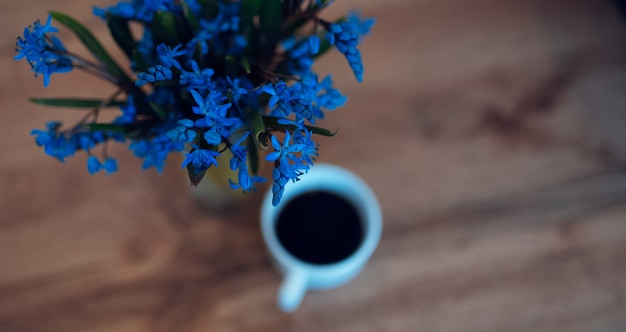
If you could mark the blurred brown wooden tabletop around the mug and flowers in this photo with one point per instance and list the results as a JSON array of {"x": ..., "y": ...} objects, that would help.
[{"x": 491, "y": 131}]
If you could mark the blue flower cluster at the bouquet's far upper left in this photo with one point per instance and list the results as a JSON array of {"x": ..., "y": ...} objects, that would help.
[{"x": 45, "y": 53}]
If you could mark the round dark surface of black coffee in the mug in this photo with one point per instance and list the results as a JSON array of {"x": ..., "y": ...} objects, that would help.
[{"x": 319, "y": 227}]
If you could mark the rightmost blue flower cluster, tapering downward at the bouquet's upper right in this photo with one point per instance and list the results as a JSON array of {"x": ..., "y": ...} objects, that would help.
[{"x": 346, "y": 37}]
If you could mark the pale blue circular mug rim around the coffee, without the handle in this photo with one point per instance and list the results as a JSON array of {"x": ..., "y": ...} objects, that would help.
[{"x": 364, "y": 201}]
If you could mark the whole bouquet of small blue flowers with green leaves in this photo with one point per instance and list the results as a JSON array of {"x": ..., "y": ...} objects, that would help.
[{"x": 207, "y": 76}]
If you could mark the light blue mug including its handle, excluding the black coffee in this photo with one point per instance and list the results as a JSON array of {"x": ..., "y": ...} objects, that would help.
[{"x": 299, "y": 276}]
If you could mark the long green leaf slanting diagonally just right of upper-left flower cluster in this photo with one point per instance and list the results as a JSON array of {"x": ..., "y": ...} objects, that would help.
[{"x": 92, "y": 44}]
